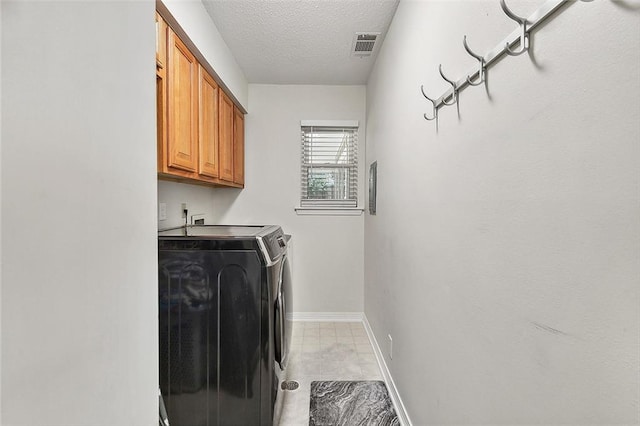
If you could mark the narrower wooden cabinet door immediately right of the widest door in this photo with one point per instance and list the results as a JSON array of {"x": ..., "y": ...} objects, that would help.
[{"x": 208, "y": 131}]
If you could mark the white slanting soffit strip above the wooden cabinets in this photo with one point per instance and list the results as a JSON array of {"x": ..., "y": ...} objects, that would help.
[{"x": 194, "y": 19}]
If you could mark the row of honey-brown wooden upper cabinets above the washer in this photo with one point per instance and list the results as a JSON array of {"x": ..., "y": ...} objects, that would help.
[{"x": 200, "y": 130}]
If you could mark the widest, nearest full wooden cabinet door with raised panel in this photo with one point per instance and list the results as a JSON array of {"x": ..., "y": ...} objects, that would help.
[{"x": 182, "y": 106}]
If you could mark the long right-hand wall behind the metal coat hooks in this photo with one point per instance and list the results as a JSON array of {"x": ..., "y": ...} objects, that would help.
[{"x": 504, "y": 256}]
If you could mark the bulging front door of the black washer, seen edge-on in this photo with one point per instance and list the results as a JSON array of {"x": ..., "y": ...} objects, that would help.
[{"x": 283, "y": 313}]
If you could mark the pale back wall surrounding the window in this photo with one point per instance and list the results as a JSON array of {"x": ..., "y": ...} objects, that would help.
[{"x": 328, "y": 250}]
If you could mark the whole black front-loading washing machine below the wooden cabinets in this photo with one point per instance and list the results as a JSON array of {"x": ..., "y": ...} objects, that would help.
[{"x": 224, "y": 317}]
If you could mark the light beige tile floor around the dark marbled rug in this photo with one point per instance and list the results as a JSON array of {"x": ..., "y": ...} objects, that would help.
[{"x": 325, "y": 351}]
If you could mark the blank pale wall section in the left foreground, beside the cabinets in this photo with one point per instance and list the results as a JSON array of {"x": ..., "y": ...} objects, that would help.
[{"x": 79, "y": 257}]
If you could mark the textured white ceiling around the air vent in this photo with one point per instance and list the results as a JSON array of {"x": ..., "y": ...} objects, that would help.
[{"x": 300, "y": 41}]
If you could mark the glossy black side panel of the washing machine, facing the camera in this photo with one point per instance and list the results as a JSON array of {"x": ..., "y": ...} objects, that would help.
[{"x": 210, "y": 316}]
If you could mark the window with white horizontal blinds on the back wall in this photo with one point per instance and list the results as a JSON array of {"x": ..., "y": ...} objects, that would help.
[{"x": 329, "y": 175}]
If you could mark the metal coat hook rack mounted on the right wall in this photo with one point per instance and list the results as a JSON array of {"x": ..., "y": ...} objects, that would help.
[{"x": 519, "y": 39}]
